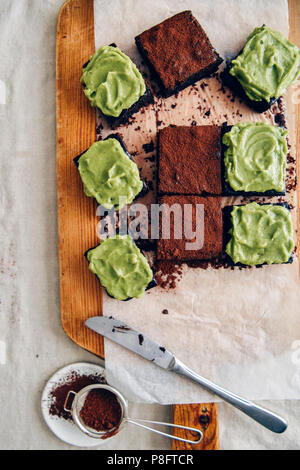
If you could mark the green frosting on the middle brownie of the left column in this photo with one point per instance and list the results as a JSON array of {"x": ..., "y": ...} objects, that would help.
[{"x": 109, "y": 175}]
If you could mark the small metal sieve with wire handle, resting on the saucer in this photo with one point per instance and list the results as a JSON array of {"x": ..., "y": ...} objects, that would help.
[{"x": 75, "y": 401}]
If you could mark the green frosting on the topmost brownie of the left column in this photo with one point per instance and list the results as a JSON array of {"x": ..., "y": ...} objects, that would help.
[{"x": 112, "y": 81}]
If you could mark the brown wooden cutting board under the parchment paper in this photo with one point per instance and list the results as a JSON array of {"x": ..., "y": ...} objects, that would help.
[{"x": 80, "y": 295}]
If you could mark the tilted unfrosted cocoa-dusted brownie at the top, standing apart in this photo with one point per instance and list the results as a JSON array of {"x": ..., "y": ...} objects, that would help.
[{"x": 178, "y": 52}]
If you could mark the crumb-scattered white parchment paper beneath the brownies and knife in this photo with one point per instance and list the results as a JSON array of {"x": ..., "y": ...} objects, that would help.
[{"x": 239, "y": 328}]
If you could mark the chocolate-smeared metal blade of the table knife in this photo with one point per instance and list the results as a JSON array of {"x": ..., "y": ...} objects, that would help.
[{"x": 132, "y": 339}]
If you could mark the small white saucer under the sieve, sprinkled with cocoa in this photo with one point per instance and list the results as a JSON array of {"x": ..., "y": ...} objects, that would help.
[{"x": 65, "y": 430}]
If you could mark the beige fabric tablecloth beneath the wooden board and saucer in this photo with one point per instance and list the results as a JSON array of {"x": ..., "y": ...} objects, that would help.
[{"x": 32, "y": 342}]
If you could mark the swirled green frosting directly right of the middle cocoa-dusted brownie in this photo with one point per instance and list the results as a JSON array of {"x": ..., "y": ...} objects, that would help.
[{"x": 255, "y": 157}]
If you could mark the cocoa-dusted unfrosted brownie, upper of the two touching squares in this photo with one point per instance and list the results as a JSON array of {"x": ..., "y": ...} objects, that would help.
[{"x": 190, "y": 160}]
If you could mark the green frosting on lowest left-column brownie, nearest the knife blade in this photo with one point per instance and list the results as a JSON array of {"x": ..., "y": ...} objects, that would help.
[{"x": 121, "y": 267}]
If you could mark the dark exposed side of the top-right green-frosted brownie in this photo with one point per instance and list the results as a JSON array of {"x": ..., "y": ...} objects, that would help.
[{"x": 234, "y": 85}]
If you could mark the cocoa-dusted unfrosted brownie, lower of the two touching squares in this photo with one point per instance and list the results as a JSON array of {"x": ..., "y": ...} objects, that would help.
[{"x": 196, "y": 228}]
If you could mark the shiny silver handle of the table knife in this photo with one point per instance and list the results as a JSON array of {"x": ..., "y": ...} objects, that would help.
[{"x": 264, "y": 417}]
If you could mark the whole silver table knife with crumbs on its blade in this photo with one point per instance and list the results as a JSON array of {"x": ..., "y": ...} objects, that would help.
[{"x": 138, "y": 343}]
